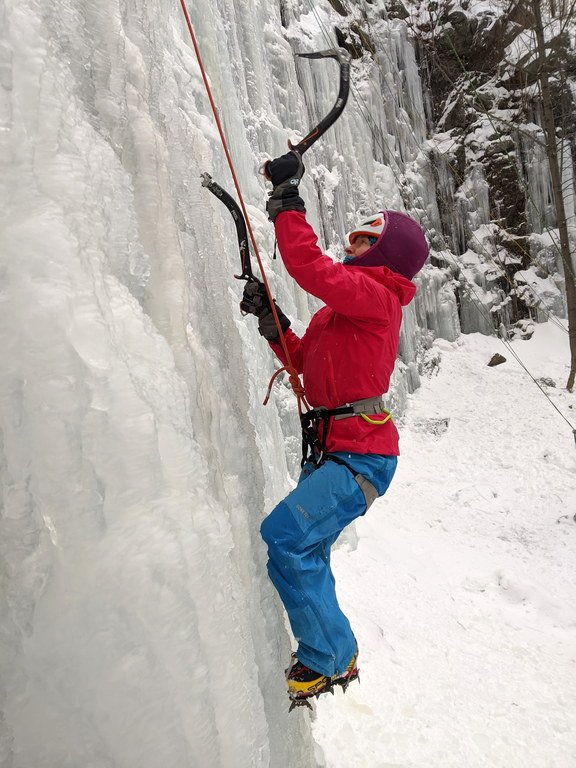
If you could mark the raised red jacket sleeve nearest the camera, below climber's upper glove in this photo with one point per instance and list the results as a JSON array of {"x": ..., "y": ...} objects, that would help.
[{"x": 346, "y": 290}]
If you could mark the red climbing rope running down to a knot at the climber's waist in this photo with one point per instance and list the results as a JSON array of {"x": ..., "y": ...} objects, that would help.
[{"x": 289, "y": 368}]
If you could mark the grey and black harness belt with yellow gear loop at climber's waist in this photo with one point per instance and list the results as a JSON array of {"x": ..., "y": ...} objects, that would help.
[{"x": 316, "y": 422}]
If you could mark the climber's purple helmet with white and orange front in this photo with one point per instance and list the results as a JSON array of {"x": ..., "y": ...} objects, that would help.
[{"x": 401, "y": 246}]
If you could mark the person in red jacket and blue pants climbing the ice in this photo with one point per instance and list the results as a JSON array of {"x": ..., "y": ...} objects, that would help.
[{"x": 346, "y": 358}]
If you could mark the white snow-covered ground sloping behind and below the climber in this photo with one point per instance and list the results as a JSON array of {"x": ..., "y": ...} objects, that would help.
[{"x": 461, "y": 589}]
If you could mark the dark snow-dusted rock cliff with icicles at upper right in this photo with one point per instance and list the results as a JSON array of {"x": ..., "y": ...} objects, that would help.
[{"x": 485, "y": 146}]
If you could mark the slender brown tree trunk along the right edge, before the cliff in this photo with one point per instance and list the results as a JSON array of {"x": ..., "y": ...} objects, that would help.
[{"x": 552, "y": 152}]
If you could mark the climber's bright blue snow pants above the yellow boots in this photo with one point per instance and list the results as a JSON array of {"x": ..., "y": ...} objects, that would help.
[{"x": 300, "y": 532}]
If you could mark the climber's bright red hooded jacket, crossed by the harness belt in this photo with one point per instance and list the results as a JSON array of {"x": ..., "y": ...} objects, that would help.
[{"x": 349, "y": 349}]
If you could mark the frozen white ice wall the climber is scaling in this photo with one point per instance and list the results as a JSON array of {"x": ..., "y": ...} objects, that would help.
[{"x": 137, "y": 623}]
